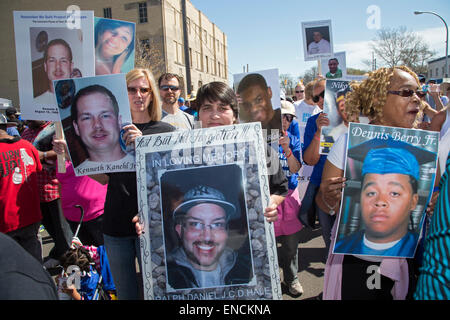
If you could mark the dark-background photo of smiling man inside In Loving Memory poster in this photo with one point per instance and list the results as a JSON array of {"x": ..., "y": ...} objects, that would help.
[{"x": 212, "y": 245}]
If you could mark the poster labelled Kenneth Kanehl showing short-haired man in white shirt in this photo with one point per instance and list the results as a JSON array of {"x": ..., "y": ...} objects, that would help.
[{"x": 93, "y": 112}]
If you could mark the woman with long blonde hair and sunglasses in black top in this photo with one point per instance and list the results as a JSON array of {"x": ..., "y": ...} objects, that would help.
[{"x": 120, "y": 239}]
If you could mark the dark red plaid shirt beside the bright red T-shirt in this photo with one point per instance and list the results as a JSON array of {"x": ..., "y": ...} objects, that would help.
[{"x": 47, "y": 182}]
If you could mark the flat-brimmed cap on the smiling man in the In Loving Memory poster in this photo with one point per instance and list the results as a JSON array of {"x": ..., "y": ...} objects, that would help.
[{"x": 205, "y": 194}]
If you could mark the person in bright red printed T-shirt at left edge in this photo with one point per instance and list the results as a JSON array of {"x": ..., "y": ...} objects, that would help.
[{"x": 20, "y": 213}]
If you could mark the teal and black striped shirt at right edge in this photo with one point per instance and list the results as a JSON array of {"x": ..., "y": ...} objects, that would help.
[{"x": 434, "y": 279}]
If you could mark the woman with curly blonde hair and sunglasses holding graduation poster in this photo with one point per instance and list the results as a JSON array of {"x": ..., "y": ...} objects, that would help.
[{"x": 388, "y": 97}]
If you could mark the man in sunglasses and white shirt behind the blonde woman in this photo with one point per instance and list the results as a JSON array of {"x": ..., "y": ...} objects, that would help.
[{"x": 170, "y": 91}]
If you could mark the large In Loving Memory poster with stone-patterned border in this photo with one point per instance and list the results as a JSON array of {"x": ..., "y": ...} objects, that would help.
[{"x": 201, "y": 196}]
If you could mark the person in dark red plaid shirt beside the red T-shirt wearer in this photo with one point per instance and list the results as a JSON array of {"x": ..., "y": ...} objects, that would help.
[{"x": 50, "y": 202}]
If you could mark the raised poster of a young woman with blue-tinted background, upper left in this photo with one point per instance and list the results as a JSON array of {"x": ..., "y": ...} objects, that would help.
[{"x": 114, "y": 46}]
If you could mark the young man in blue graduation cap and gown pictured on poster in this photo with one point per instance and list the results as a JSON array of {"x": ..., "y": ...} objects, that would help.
[{"x": 389, "y": 193}]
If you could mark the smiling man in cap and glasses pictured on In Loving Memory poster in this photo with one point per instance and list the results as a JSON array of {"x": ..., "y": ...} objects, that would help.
[{"x": 203, "y": 259}]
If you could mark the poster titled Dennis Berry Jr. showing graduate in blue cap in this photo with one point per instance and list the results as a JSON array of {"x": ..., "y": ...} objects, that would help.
[{"x": 390, "y": 177}]
